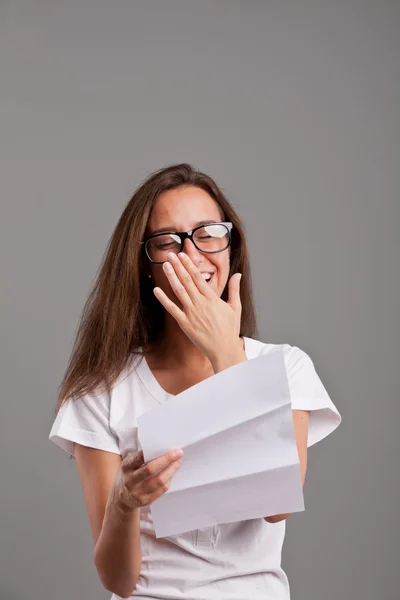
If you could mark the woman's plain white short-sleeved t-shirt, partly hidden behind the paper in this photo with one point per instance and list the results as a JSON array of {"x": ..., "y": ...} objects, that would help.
[{"x": 235, "y": 561}]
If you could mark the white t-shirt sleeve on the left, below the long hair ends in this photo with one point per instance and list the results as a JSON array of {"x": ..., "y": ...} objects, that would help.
[{"x": 86, "y": 421}]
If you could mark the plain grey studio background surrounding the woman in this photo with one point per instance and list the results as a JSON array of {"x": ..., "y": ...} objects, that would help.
[{"x": 291, "y": 106}]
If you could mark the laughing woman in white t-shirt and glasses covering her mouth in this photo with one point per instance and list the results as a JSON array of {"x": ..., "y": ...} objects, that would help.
[{"x": 172, "y": 305}]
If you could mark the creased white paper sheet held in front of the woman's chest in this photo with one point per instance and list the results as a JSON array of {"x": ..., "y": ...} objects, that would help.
[{"x": 240, "y": 457}]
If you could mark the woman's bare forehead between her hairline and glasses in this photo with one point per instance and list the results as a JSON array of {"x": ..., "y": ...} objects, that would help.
[{"x": 182, "y": 208}]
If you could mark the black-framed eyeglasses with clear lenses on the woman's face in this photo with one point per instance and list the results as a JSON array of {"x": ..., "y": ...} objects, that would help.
[{"x": 209, "y": 238}]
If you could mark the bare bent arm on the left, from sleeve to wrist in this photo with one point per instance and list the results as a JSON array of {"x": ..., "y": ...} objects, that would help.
[{"x": 115, "y": 531}]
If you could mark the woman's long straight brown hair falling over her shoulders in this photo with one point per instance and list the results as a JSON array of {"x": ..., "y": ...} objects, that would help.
[{"x": 121, "y": 314}]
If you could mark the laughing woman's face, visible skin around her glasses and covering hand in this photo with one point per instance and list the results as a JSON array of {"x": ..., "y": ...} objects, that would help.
[{"x": 181, "y": 210}]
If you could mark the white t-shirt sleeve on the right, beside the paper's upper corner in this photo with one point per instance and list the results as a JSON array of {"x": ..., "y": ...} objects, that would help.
[{"x": 307, "y": 392}]
